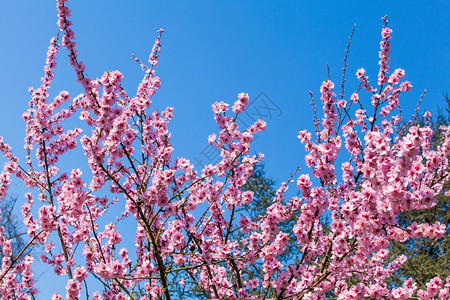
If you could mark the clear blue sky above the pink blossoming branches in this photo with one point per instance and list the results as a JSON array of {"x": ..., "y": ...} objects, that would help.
[{"x": 213, "y": 50}]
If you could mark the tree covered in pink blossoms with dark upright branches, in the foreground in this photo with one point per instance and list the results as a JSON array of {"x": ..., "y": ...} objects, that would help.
[{"x": 185, "y": 218}]
